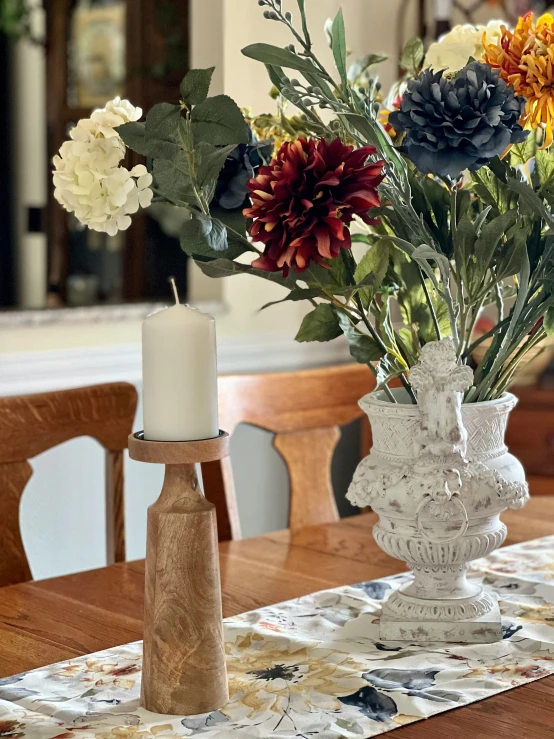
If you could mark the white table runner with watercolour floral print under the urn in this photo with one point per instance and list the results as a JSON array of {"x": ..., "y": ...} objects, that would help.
[{"x": 310, "y": 667}]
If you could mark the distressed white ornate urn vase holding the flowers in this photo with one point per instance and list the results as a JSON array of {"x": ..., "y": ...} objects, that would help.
[{"x": 439, "y": 475}]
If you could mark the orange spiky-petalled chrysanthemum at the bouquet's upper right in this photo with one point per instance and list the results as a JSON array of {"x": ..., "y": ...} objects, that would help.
[{"x": 525, "y": 58}]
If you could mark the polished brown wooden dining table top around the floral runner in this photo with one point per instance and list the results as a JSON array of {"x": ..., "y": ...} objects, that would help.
[{"x": 52, "y": 620}]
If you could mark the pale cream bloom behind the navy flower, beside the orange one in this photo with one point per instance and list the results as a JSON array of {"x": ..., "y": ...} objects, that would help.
[{"x": 453, "y": 50}]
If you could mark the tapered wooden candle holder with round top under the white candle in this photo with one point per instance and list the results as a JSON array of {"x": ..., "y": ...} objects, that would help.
[{"x": 183, "y": 669}]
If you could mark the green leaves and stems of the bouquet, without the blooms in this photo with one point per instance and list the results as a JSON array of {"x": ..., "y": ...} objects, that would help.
[{"x": 444, "y": 250}]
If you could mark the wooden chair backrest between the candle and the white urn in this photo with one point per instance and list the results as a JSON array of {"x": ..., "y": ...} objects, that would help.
[{"x": 304, "y": 410}]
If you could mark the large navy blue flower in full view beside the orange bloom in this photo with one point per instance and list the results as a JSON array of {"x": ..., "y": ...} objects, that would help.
[{"x": 458, "y": 123}]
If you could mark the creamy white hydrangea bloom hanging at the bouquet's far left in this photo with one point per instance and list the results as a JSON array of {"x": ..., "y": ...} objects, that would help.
[{"x": 88, "y": 178}]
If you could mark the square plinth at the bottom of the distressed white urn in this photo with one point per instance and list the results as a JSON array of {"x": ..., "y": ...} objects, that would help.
[{"x": 485, "y": 629}]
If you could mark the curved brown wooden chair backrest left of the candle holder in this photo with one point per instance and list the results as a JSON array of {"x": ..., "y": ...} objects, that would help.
[{"x": 31, "y": 424}]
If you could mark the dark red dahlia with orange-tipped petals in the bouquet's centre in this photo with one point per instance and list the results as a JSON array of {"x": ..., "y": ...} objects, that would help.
[{"x": 303, "y": 201}]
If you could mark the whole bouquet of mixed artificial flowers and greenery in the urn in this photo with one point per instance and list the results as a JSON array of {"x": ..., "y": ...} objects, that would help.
[{"x": 447, "y": 195}]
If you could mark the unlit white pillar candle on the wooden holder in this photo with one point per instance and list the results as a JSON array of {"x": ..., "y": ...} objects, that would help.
[{"x": 179, "y": 369}]
